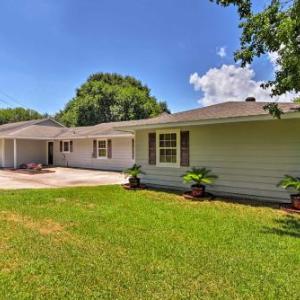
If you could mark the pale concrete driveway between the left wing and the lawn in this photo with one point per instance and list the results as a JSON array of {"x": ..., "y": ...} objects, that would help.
[{"x": 57, "y": 177}]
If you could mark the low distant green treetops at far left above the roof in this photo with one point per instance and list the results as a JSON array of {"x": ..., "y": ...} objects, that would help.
[{"x": 10, "y": 115}]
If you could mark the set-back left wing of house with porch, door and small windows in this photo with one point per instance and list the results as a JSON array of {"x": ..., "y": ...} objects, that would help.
[{"x": 50, "y": 143}]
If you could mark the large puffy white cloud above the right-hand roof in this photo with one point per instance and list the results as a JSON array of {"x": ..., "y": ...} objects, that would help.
[{"x": 232, "y": 83}]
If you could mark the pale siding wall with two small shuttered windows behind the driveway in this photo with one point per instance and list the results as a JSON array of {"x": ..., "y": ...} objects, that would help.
[{"x": 81, "y": 157}]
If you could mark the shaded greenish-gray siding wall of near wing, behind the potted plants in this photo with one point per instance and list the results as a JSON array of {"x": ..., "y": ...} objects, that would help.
[{"x": 249, "y": 158}]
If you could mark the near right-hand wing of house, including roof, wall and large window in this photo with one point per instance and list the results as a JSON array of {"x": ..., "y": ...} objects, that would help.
[{"x": 240, "y": 142}]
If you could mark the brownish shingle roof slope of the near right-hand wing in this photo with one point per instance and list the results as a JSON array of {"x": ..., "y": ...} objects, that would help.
[{"x": 224, "y": 110}]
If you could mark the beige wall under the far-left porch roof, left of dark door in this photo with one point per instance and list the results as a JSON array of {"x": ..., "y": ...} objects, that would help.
[{"x": 31, "y": 151}]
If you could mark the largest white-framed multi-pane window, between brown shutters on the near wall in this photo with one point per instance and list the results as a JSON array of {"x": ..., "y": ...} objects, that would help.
[{"x": 168, "y": 148}]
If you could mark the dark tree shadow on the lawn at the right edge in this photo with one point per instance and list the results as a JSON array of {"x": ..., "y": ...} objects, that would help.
[{"x": 287, "y": 226}]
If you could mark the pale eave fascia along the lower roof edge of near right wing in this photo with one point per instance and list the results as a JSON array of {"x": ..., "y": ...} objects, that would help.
[{"x": 262, "y": 117}]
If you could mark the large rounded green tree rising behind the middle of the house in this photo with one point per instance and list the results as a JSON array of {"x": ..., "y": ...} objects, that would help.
[{"x": 106, "y": 97}]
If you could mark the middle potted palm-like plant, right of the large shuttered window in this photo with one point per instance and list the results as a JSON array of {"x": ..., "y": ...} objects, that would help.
[{"x": 200, "y": 177}]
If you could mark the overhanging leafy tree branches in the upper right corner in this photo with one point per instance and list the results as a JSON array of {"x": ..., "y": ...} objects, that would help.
[{"x": 275, "y": 29}]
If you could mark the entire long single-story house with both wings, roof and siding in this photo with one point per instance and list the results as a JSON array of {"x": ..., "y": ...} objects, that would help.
[{"x": 240, "y": 142}]
